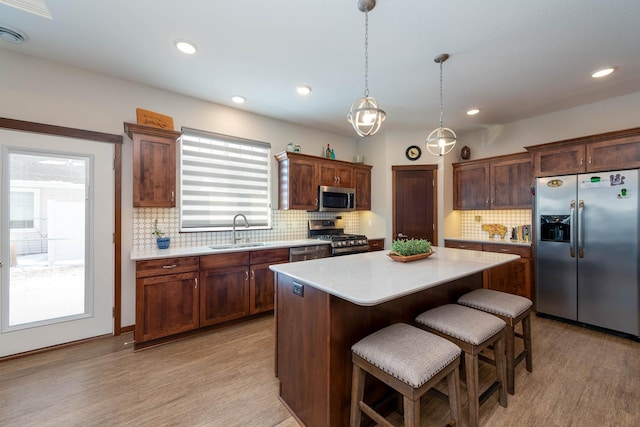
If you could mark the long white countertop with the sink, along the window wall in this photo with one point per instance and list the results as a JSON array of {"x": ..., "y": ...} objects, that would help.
[{"x": 172, "y": 252}]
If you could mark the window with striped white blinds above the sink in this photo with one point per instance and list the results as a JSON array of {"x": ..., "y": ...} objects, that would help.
[{"x": 222, "y": 176}]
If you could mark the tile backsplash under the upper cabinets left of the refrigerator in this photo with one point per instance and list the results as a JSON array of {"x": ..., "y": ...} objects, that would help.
[{"x": 471, "y": 221}]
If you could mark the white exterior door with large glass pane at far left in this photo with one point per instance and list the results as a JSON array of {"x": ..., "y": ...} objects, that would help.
[{"x": 56, "y": 240}]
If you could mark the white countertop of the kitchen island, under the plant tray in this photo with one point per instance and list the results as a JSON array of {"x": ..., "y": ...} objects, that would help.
[{"x": 372, "y": 278}]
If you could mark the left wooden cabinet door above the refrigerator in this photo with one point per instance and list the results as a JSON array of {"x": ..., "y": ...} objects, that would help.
[{"x": 559, "y": 160}]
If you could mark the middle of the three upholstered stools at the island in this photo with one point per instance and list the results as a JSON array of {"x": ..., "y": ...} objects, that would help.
[{"x": 473, "y": 331}]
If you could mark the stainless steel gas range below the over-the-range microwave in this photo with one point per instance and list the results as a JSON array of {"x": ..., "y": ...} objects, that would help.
[{"x": 333, "y": 231}]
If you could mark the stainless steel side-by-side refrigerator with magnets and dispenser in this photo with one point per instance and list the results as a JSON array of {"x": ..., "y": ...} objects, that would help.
[{"x": 587, "y": 249}]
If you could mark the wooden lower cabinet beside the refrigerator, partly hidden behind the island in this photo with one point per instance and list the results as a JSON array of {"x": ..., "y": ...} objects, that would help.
[{"x": 514, "y": 278}]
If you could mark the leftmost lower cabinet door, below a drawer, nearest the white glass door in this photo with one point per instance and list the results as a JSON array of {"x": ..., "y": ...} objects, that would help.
[{"x": 166, "y": 305}]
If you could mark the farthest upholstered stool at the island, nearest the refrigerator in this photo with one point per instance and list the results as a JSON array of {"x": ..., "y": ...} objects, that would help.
[{"x": 513, "y": 309}]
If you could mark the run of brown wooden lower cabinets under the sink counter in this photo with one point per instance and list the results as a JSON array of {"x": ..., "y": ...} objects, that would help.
[{"x": 177, "y": 295}]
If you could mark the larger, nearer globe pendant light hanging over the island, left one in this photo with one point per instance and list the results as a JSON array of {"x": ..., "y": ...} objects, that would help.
[{"x": 365, "y": 116}]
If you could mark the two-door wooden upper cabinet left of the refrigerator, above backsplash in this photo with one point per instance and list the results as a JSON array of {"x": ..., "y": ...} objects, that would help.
[{"x": 502, "y": 182}]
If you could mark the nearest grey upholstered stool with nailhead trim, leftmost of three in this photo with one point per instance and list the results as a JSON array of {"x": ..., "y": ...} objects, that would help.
[{"x": 409, "y": 360}]
